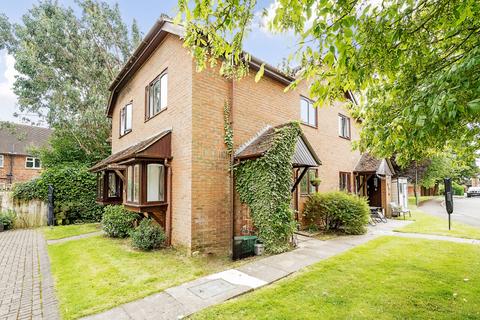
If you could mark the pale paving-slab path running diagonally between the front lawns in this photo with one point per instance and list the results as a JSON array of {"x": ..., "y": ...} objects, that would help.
[{"x": 190, "y": 297}]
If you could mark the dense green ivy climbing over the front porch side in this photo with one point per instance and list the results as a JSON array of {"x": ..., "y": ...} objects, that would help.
[{"x": 264, "y": 185}]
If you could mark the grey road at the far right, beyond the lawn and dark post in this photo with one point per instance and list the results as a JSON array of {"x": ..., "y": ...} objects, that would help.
[{"x": 465, "y": 210}]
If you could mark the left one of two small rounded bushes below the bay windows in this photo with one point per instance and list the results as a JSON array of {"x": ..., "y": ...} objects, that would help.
[{"x": 118, "y": 222}]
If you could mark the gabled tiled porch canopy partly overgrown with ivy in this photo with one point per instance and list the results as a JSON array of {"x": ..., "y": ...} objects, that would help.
[{"x": 303, "y": 157}]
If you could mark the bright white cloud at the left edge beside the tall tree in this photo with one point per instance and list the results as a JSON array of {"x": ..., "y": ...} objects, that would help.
[{"x": 8, "y": 99}]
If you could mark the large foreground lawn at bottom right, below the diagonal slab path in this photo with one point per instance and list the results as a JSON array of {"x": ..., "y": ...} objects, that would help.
[{"x": 387, "y": 278}]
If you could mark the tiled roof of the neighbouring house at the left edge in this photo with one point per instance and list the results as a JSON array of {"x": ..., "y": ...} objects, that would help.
[{"x": 18, "y": 138}]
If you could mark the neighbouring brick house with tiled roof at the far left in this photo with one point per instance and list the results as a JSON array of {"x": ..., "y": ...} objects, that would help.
[{"x": 16, "y": 163}]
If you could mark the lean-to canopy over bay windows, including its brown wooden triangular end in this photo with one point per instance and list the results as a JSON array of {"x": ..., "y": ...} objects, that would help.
[{"x": 156, "y": 147}]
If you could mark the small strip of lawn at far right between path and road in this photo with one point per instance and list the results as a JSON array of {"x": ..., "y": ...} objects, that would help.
[{"x": 429, "y": 224}]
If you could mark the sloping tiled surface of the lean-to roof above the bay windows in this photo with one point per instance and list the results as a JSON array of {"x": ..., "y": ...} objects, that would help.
[{"x": 133, "y": 151}]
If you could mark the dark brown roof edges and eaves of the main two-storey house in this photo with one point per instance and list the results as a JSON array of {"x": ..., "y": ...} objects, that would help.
[{"x": 150, "y": 42}]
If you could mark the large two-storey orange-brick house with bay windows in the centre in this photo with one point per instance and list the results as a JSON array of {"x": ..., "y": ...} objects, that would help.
[{"x": 169, "y": 159}]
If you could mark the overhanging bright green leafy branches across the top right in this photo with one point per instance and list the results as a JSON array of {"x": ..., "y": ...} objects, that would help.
[{"x": 415, "y": 63}]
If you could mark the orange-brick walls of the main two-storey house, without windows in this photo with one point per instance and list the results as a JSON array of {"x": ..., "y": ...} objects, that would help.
[{"x": 201, "y": 186}]
